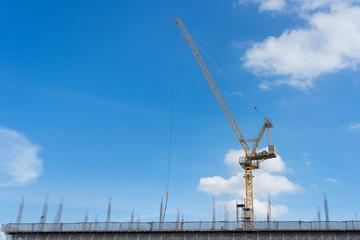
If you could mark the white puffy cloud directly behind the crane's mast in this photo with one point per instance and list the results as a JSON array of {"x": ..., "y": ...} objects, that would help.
[{"x": 267, "y": 182}]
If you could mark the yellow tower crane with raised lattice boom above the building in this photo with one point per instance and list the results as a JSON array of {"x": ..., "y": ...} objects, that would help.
[{"x": 252, "y": 158}]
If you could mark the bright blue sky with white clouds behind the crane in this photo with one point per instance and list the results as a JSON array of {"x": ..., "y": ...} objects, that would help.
[{"x": 85, "y": 106}]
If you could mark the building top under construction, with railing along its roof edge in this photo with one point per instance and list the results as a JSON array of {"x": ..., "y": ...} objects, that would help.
[{"x": 224, "y": 230}]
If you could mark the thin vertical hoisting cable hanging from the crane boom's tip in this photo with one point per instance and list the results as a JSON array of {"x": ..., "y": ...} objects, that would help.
[{"x": 171, "y": 127}]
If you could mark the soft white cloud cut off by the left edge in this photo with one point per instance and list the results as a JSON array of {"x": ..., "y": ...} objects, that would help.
[{"x": 19, "y": 160}]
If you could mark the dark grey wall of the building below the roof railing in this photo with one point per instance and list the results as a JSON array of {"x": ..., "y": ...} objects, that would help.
[{"x": 261, "y": 235}]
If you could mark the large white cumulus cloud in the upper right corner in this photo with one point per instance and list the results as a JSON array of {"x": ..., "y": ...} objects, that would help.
[{"x": 329, "y": 42}]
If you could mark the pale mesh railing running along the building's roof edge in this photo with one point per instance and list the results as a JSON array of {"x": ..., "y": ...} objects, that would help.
[{"x": 181, "y": 226}]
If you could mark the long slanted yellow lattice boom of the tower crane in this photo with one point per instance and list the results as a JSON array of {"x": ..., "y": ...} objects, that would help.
[{"x": 214, "y": 88}]
